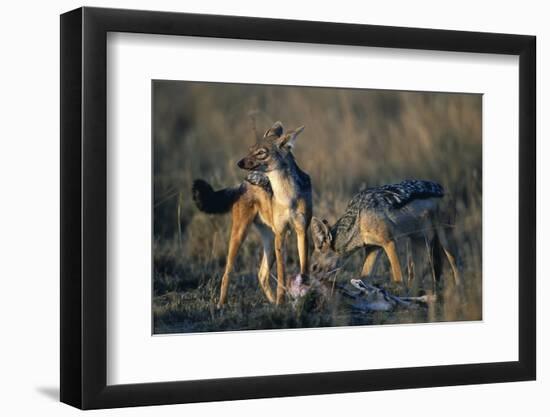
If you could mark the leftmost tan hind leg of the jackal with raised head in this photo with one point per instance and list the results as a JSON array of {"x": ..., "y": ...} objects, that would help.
[{"x": 242, "y": 216}]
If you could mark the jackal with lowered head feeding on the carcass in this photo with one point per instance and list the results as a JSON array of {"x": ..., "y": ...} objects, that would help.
[{"x": 376, "y": 218}]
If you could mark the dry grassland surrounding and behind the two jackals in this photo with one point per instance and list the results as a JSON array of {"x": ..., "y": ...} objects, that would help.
[{"x": 353, "y": 139}]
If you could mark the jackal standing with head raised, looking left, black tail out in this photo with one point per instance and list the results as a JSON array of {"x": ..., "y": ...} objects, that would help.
[{"x": 275, "y": 195}]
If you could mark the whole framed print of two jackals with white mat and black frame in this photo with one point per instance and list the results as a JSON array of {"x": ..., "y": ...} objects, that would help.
[{"x": 256, "y": 208}]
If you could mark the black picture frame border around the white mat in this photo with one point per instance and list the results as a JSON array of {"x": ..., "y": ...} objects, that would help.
[{"x": 84, "y": 207}]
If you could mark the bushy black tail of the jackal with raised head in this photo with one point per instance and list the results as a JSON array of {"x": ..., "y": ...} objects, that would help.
[{"x": 214, "y": 202}]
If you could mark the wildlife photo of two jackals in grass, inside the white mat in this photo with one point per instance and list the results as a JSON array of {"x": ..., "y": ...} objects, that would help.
[{"x": 290, "y": 207}]
